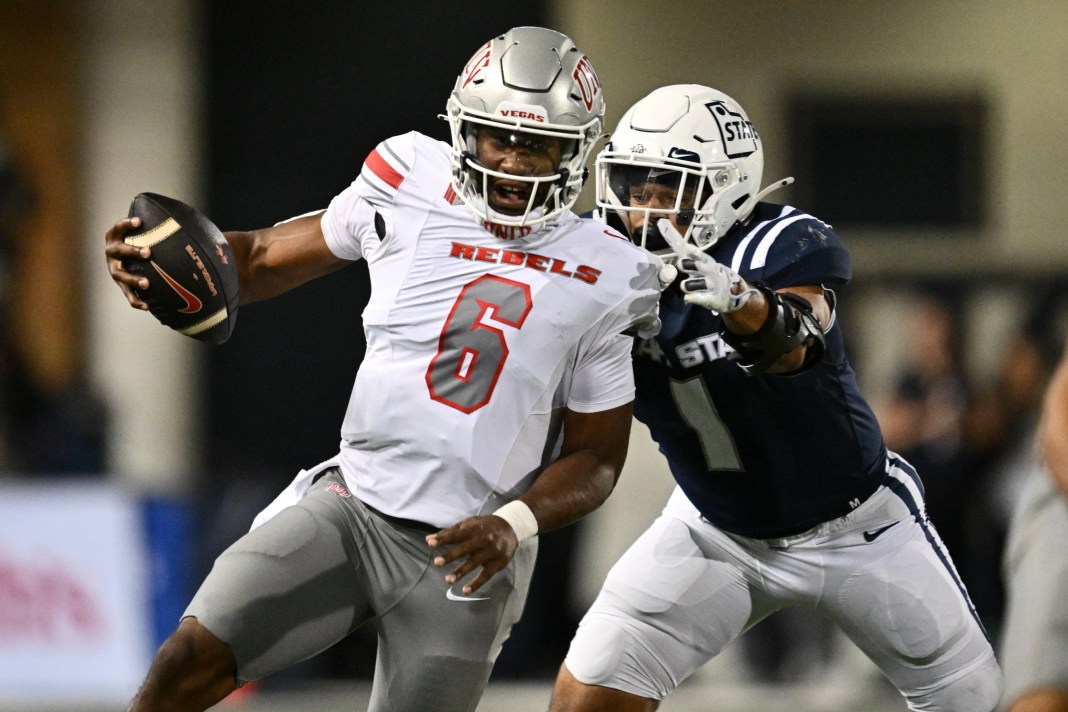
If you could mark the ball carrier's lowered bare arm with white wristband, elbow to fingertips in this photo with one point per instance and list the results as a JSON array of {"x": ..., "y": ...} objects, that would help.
[{"x": 590, "y": 463}]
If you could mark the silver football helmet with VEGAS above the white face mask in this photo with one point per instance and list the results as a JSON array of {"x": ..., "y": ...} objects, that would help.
[{"x": 528, "y": 81}]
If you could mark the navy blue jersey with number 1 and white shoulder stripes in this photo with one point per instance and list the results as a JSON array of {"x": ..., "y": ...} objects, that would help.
[{"x": 768, "y": 455}]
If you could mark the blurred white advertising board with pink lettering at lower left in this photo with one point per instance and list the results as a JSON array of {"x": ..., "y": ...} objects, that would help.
[{"x": 76, "y": 593}]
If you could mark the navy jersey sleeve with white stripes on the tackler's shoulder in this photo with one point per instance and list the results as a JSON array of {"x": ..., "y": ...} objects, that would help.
[{"x": 797, "y": 250}]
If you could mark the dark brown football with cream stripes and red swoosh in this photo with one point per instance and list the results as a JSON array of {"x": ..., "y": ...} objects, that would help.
[{"x": 193, "y": 277}]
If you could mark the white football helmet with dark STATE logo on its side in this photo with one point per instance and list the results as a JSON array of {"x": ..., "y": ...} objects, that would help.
[{"x": 699, "y": 143}]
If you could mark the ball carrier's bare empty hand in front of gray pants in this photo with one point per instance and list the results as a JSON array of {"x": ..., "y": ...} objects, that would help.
[{"x": 489, "y": 543}]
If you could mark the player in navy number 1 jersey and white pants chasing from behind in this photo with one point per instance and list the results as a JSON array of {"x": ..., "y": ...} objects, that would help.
[{"x": 787, "y": 494}]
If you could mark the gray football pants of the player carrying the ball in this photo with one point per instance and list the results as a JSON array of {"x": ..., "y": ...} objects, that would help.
[{"x": 323, "y": 567}]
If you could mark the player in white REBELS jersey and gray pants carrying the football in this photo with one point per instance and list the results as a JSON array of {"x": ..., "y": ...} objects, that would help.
[{"x": 494, "y": 402}]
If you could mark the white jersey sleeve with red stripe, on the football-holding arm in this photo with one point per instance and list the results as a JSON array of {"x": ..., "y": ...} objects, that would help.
[{"x": 350, "y": 223}]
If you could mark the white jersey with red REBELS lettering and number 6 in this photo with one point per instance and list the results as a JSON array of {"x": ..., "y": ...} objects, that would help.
[{"x": 478, "y": 336}]
